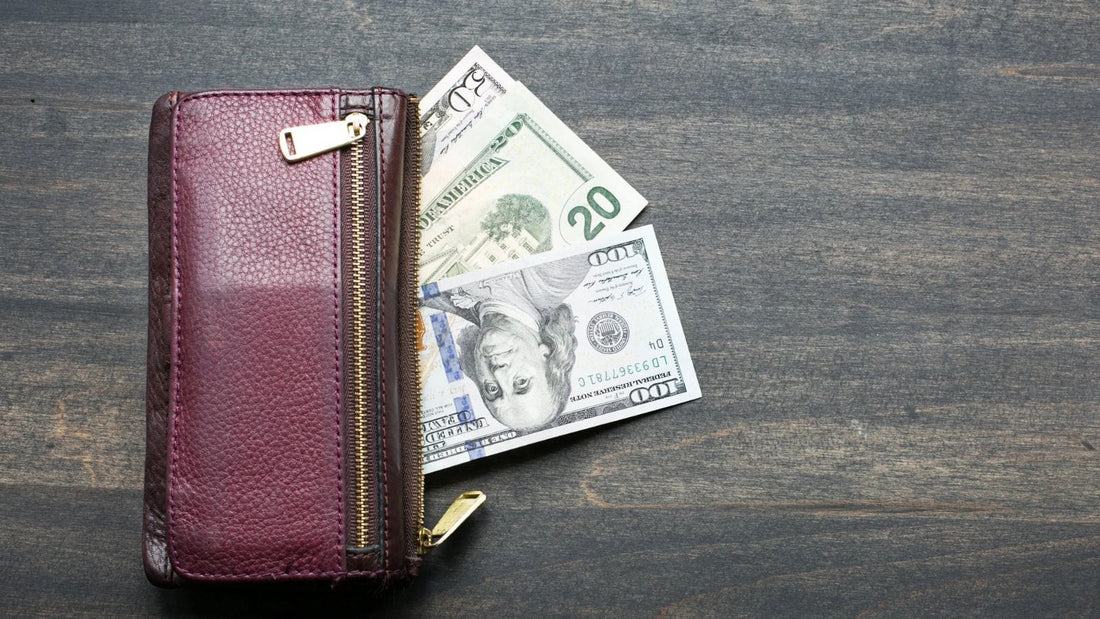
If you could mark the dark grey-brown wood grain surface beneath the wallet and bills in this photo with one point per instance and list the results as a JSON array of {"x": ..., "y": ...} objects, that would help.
[{"x": 882, "y": 224}]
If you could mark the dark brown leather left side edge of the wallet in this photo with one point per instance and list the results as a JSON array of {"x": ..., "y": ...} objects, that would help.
[{"x": 155, "y": 534}]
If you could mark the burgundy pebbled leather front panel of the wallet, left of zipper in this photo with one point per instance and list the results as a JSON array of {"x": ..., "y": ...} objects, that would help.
[{"x": 255, "y": 460}]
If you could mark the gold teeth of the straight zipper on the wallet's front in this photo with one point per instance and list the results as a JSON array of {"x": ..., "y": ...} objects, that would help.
[{"x": 359, "y": 346}]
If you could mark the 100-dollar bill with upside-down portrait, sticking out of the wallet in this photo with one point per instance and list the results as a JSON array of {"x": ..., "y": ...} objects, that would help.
[{"x": 547, "y": 346}]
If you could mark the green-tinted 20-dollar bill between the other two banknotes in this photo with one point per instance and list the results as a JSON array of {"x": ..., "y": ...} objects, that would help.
[{"x": 520, "y": 184}]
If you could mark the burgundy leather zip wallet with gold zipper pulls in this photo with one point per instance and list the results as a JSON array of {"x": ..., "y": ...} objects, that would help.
[{"x": 283, "y": 393}]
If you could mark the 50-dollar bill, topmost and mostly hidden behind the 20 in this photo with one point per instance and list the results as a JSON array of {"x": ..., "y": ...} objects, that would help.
[{"x": 458, "y": 103}]
